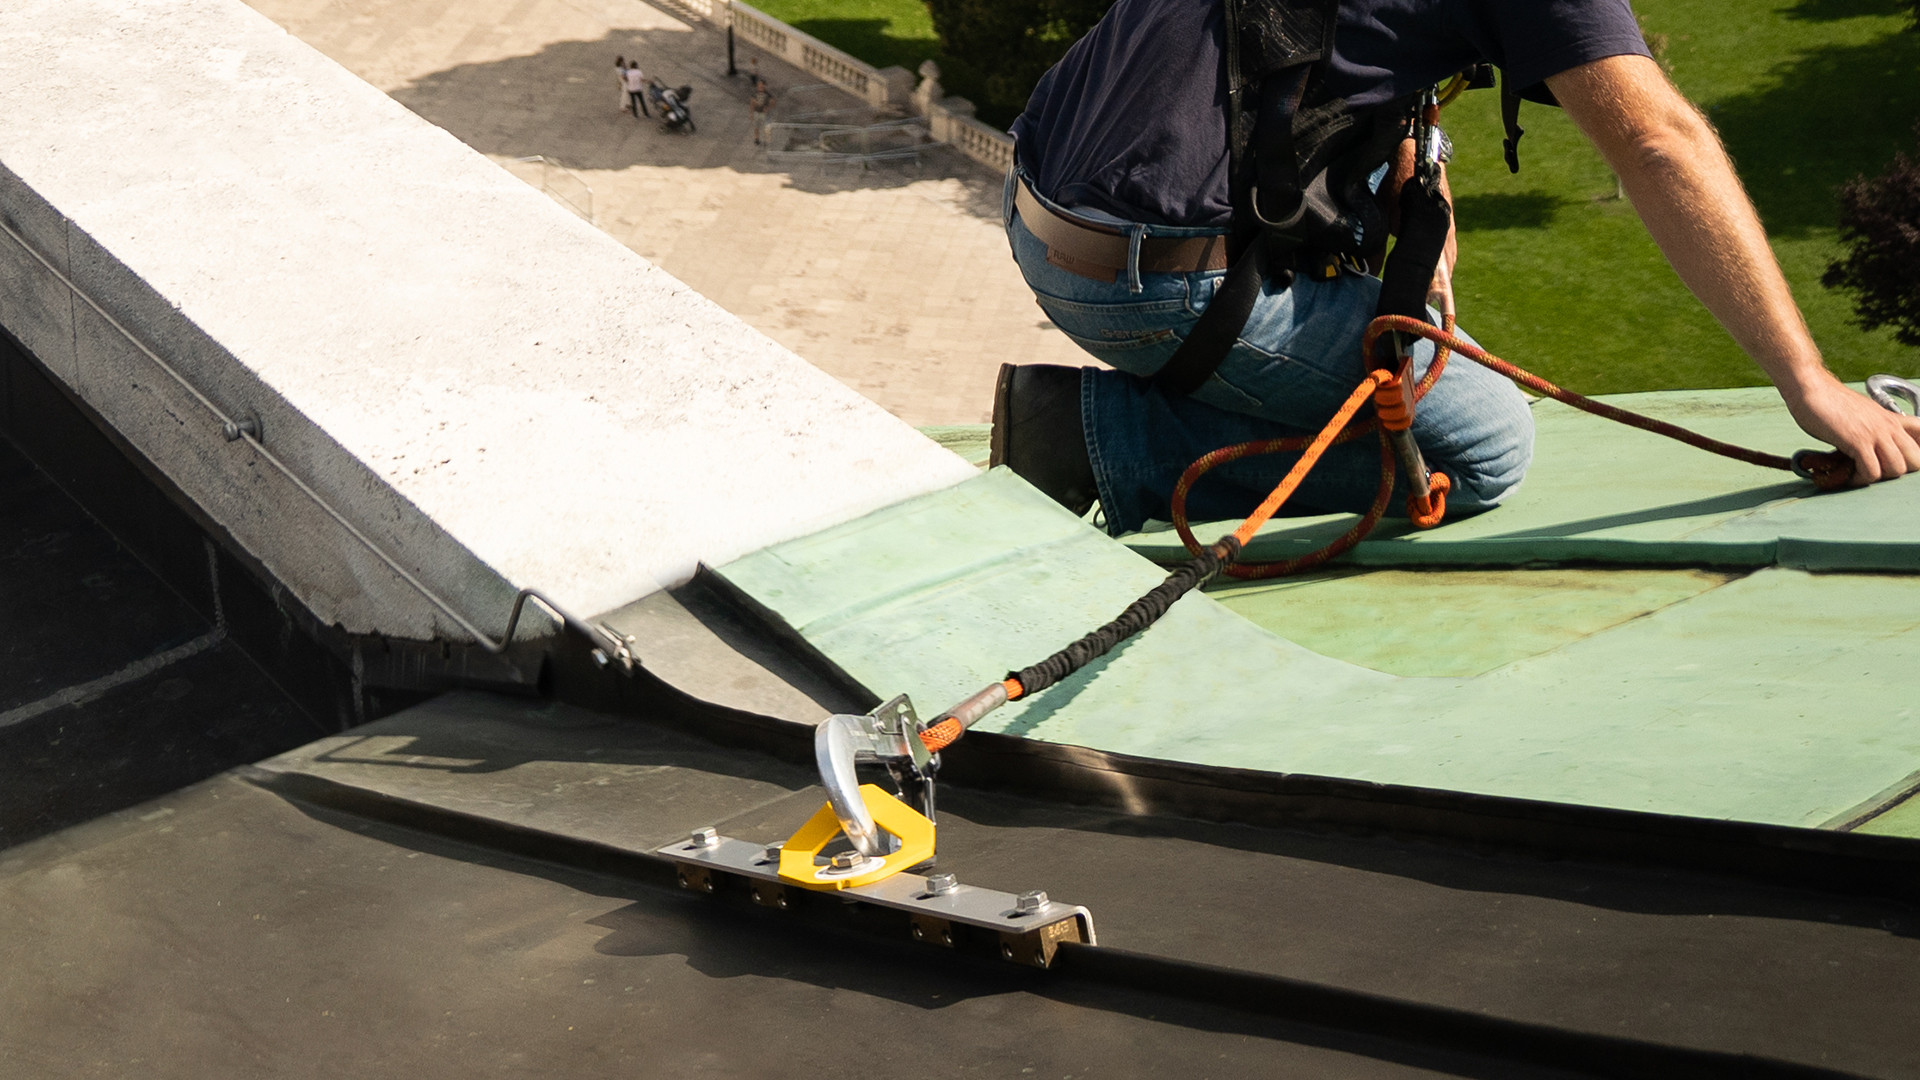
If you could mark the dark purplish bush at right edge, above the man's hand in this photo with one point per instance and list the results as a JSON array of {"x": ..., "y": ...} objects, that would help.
[{"x": 1881, "y": 226}]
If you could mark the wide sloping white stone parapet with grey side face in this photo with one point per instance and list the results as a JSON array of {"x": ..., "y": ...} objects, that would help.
[{"x": 462, "y": 389}]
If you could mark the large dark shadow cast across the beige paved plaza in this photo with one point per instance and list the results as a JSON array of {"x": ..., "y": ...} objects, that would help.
[{"x": 562, "y": 103}]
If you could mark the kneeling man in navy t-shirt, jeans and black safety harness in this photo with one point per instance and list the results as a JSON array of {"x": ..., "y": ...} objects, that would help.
[{"x": 1132, "y": 209}]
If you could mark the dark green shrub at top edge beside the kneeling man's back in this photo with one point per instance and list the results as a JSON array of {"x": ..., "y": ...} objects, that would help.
[{"x": 999, "y": 49}]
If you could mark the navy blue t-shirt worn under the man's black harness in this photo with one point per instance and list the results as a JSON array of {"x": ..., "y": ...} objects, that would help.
[{"x": 1134, "y": 118}]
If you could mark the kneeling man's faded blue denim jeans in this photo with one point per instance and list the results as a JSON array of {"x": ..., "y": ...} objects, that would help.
[{"x": 1295, "y": 364}]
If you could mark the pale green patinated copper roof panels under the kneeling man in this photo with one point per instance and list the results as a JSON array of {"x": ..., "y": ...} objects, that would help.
[{"x": 1760, "y": 697}]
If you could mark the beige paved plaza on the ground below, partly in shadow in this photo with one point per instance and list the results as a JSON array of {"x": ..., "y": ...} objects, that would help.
[{"x": 896, "y": 280}]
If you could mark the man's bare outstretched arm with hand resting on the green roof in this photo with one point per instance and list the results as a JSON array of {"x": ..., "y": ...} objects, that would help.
[{"x": 1683, "y": 184}]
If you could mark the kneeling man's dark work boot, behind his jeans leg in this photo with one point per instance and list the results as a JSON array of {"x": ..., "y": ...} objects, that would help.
[{"x": 1038, "y": 431}]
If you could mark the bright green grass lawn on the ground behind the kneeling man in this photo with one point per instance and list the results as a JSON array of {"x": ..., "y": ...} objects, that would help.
[{"x": 1560, "y": 276}]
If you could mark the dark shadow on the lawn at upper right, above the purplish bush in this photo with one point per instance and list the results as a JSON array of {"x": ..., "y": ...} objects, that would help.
[{"x": 1825, "y": 118}]
